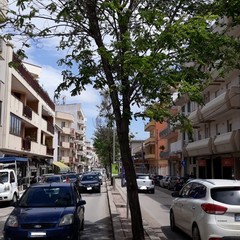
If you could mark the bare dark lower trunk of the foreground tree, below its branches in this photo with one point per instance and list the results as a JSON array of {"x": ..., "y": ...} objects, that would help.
[{"x": 132, "y": 190}]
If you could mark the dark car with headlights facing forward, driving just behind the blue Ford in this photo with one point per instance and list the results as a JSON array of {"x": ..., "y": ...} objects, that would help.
[{"x": 90, "y": 182}]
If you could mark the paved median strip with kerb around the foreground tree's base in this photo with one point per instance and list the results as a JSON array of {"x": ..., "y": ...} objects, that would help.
[{"x": 121, "y": 220}]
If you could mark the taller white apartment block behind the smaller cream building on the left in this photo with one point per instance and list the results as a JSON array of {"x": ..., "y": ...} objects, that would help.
[{"x": 78, "y": 137}]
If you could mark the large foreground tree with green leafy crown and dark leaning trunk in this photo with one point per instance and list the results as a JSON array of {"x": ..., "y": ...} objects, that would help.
[{"x": 138, "y": 51}]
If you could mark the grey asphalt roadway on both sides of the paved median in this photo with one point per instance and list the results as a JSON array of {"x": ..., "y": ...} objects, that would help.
[{"x": 155, "y": 211}]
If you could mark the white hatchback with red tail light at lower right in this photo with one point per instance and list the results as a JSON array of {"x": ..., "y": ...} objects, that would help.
[{"x": 207, "y": 209}]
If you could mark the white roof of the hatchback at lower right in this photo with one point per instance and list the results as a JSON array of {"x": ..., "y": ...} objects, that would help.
[{"x": 218, "y": 182}]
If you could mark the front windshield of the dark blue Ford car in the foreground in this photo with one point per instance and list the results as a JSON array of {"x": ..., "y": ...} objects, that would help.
[{"x": 47, "y": 197}]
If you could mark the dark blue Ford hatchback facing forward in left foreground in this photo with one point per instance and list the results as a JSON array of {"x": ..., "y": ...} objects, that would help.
[{"x": 47, "y": 211}]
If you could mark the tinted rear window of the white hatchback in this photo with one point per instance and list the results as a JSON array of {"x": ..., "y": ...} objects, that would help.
[{"x": 227, "y": 195}]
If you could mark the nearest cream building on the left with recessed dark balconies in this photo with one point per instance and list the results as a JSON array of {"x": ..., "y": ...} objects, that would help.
[{"x": 27, "y": 114}]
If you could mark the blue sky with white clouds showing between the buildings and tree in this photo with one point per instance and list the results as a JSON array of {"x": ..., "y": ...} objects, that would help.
[{"x": 45, "y": 55}]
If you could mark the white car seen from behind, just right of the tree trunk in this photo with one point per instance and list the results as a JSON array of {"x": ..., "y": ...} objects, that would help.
[{"x": 145, "y": 183}]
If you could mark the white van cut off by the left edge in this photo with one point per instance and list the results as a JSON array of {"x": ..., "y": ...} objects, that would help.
[{"x": 8, "y": 186}]
